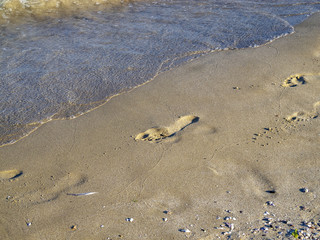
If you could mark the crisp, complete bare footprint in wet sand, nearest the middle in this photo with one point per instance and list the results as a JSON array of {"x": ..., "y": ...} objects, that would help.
[{"x": 156, "y": 134}]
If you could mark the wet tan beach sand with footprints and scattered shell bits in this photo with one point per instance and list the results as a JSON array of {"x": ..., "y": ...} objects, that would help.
[{"x": 231, "y": 148}]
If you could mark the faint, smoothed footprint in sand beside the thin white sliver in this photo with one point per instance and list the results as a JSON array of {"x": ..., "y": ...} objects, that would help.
[{"x": 54, "y": 190}]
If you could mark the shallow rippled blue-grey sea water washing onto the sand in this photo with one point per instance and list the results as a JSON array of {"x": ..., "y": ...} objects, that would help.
[{"x": 59, "y": 59}]
